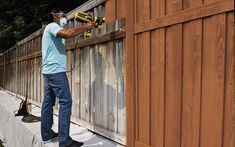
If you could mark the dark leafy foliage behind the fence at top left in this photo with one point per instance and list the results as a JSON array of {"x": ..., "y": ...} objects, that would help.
[{"x": 20, "y": 18}]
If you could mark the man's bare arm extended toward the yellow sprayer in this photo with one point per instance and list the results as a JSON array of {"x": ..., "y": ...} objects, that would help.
[{"x": 72, "y": 32}]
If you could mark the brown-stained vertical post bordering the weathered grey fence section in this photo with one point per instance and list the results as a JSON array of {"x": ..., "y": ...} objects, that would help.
[{"x": 130, "y": 75}]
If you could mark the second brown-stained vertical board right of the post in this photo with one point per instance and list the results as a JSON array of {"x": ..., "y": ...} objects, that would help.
[{"x": 157, "y": 77}]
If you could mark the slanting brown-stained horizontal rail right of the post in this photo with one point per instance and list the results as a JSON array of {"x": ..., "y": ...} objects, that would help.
[{"x": 187, "y": 15}]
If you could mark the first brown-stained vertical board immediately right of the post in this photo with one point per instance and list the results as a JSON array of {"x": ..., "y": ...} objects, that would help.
[{"x": 143, "y": 76}]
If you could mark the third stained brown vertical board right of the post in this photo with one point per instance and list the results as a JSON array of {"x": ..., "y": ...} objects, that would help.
[{"x": 173, "y": 78}]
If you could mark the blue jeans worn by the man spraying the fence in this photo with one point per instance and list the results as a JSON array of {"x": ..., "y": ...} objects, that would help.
[{"x": 56, "y": 85}]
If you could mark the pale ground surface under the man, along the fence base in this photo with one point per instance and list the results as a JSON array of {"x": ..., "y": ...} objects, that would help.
[{"x": 15, "y": 133}]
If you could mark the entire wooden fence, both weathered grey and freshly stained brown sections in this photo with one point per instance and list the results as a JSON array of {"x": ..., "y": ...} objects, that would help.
[{"x": 172, "y": 69}]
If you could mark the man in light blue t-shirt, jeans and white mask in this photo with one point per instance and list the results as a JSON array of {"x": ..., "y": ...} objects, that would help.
[{"x": 55, "y": 79}]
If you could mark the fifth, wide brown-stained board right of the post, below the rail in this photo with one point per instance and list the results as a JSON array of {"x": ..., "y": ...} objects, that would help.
[{"x": 213, "y": 74}]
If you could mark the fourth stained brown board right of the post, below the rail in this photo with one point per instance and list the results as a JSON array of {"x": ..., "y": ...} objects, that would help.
[{"x": 191, "y": 94}]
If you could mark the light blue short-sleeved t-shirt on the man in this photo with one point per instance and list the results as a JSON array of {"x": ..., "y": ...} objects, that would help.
[{"x": 53, "y": 50}]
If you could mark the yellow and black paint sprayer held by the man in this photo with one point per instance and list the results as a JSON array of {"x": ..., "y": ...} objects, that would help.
[{"x": 86, "y": 17}]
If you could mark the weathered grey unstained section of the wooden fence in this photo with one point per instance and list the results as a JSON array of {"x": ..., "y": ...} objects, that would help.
[{"x": 95, "y": 69}]
